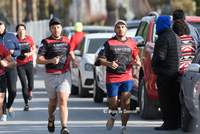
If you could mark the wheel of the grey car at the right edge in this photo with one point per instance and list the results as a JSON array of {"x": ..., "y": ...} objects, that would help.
[{"x": 188, "y": 123}]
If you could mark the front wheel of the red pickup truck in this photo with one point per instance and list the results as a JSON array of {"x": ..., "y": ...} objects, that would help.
[{"x": 148, "y": 110}]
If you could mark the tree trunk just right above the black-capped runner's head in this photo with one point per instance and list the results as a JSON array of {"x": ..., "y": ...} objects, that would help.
[{"x": 67, "y": 4}]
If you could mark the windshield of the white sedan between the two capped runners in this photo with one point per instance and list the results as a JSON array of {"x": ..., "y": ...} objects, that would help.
[{"x": 94, "y": 44}]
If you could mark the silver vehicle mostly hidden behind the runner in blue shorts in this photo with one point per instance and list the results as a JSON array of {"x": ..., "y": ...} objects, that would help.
[{"x": 99, "y": 88}]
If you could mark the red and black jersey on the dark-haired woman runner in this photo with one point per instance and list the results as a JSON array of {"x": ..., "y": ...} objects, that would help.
[{"x": 26, "y": 45}]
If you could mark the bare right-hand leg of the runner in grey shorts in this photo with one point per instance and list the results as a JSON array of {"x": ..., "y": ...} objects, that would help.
[{"x": 63, "y": 110}]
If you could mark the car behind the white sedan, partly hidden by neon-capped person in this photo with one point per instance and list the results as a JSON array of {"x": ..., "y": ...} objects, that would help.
[{"x": 69, "y": 31}]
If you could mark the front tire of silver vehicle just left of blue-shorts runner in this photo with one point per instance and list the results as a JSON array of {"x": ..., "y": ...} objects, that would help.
[{"x": 98, "y": 94}]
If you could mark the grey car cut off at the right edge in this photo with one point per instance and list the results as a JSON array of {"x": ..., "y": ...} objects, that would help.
[{"x": 190, "y": 95}]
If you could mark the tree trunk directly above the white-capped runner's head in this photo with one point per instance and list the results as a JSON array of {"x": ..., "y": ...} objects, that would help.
[{"x": 111, "y": 16}]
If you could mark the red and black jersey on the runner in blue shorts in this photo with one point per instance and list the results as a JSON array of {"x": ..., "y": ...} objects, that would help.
[{"x": 123, "y": 51}]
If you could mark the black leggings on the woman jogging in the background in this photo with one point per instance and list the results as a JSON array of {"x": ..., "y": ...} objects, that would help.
[{"x": 23, "y": 71}]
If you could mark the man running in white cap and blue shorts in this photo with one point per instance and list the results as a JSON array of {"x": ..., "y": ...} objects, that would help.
[{"x": 120, "y": 52}]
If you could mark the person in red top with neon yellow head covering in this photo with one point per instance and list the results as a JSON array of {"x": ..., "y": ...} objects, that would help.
[{"x": 77, "y": 37}]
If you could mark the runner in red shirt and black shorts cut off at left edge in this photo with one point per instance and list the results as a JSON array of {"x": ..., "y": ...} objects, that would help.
[{"x": 6, "y": 60}]
